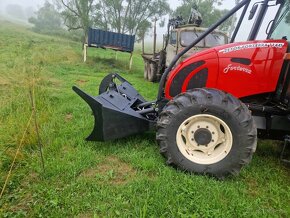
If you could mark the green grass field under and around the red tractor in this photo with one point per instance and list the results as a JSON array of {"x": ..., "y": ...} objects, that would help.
[{"x": 122, "y": 178}]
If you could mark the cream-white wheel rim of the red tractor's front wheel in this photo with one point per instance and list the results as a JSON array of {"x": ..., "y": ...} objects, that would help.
[{"x": 220, "y": 140}]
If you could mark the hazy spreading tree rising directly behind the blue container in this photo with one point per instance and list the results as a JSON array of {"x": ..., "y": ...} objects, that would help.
[{"x": 129, "y": 16}]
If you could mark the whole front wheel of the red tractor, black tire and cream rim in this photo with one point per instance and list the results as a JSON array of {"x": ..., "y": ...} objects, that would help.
[{"x": 207, "y": 131}]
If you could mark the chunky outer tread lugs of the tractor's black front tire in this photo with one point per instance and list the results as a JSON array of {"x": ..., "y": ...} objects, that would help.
[{"x": 207, "y": 97}]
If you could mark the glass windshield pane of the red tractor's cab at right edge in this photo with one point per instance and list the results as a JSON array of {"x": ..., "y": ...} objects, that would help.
[{"x": 281, "y": 28}]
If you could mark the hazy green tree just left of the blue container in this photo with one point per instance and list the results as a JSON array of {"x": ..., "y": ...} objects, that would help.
[{"x": 77, "y": 14}]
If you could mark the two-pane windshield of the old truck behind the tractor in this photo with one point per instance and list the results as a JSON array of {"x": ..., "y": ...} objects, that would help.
[{"x": 213, "y": 39}]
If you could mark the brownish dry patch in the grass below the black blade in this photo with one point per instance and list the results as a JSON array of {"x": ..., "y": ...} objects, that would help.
[{"x": 111, "y": 170}]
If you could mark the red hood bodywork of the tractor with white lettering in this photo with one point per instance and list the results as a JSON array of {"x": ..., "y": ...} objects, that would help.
[{"x": 242, "y": 69}]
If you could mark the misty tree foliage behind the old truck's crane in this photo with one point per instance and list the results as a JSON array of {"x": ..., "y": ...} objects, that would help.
[{"x": 210, "y": 13}]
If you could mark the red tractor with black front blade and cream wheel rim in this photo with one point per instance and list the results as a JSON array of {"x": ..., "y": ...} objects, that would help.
[{"x": 212, "y": 107}]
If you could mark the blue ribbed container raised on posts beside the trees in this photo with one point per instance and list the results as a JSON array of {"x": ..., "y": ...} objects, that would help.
[{"x": 107, "y": 39}]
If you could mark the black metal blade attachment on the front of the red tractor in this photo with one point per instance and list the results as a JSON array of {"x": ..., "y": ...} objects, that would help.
[{"x": 119, "y": 110}]
